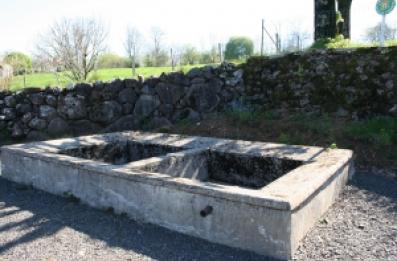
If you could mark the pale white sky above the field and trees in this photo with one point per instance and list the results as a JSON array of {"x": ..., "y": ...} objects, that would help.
[{"x": 200, "y": 23}]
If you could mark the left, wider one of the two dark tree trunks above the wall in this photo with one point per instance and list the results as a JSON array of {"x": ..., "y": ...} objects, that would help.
[{"x": 324, "y": 19}]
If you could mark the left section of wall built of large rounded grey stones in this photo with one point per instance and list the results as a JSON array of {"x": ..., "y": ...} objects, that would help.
[{"x": 119, "y": 105}]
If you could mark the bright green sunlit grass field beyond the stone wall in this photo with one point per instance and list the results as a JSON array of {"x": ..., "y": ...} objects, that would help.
[{"x": 51, "y": 79}]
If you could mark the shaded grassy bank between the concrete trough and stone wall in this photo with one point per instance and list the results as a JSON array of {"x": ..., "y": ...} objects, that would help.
[{"x": 373, "y": 140}]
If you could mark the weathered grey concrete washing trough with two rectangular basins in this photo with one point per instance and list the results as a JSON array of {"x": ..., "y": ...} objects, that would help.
[{"x": 262, "y": 197}]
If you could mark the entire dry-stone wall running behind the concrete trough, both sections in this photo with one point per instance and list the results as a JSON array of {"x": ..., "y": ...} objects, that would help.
[{"x": 349, "y": 83}]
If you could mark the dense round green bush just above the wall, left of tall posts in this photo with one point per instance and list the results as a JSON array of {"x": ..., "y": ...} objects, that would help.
[{"x": 239, "y": 48}]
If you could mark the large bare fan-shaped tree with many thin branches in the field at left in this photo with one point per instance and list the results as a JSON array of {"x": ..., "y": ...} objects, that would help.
[{"x": 74, "y": 45}]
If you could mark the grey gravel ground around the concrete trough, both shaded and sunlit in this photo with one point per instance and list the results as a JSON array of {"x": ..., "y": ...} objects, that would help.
[{"x": 35, "y": 225}]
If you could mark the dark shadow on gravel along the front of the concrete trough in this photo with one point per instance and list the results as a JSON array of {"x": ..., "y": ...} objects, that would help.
[{"x": 50, "y": 214}]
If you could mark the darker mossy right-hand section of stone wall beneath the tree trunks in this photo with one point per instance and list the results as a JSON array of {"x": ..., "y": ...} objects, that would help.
[{"x": 351, "y": 83}]
